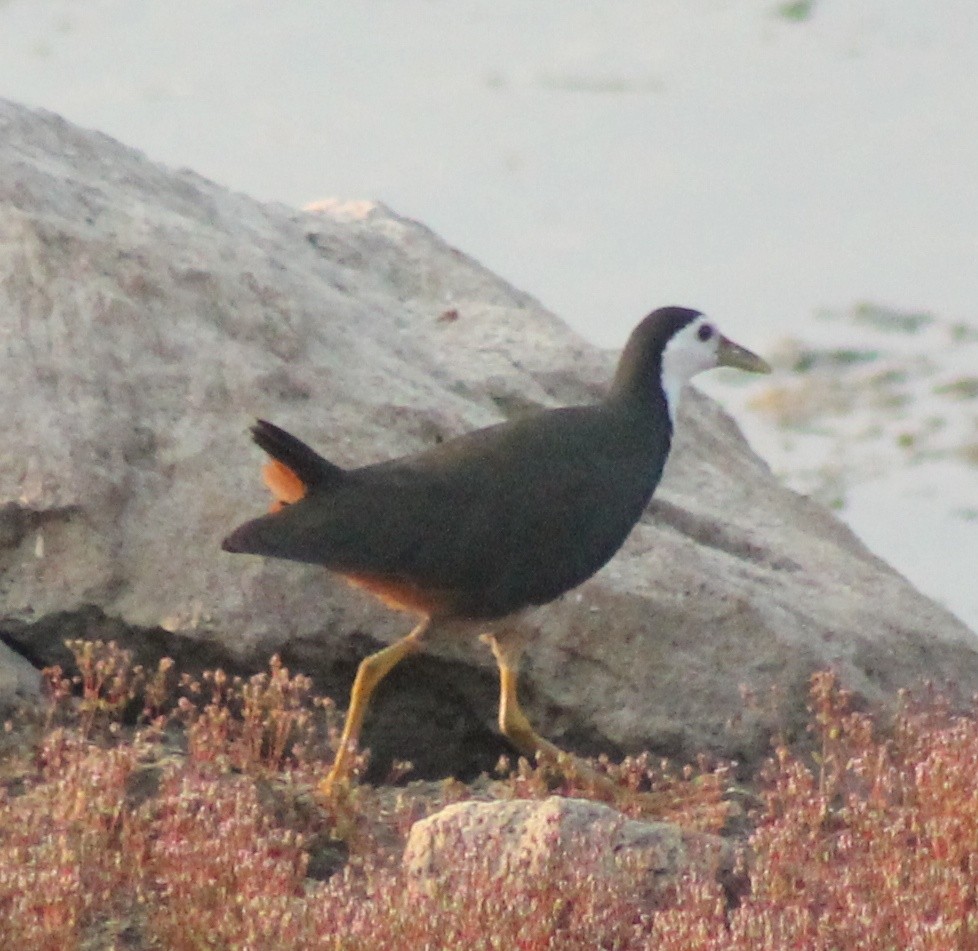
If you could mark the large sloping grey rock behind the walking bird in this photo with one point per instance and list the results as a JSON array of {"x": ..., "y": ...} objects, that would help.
[{"x": 148, "y": 315}]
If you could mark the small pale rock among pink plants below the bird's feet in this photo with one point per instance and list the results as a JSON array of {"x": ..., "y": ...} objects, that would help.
[{"x": 552, "y": 838}]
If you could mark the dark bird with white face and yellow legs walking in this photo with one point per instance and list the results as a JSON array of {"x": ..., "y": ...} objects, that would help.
[{"x": 472, "y": 532}]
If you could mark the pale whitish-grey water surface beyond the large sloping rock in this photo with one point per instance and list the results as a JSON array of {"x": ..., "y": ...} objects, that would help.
[{"x": 766, "y": 167}]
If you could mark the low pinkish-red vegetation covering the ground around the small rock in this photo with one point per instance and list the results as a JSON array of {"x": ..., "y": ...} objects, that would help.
[{"x": 194, "y": 827}]
